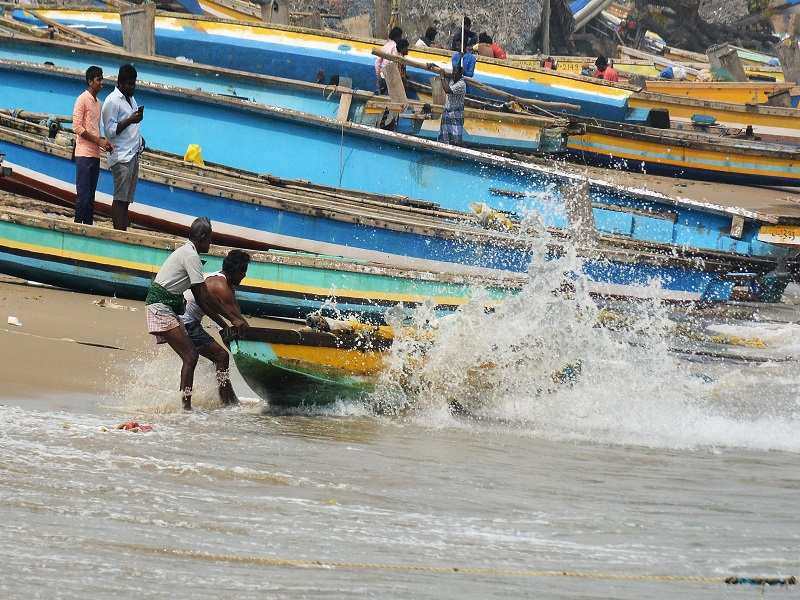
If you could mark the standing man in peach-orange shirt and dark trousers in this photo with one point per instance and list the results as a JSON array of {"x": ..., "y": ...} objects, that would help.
[{"x": 86, "y": 125}]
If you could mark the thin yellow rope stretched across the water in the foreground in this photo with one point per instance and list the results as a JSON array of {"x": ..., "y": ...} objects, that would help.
[{"x": 268, "y": 561}]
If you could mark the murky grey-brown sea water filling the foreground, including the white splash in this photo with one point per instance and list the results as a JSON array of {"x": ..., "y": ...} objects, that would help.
[{"x": 642, "y": 468}]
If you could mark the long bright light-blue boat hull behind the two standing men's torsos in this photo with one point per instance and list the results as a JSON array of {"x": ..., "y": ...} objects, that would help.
[{"x": 243, "y": 135}]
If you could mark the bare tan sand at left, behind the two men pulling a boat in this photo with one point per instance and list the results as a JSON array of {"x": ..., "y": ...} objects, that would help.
[{"x": 72, "y": 349}]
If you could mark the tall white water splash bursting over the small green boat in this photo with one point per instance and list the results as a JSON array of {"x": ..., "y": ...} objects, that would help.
[{"x": 549, "y": 362}]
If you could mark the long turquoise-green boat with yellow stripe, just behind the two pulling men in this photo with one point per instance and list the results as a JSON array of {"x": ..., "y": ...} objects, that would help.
[{"x": 105, "y": 261}]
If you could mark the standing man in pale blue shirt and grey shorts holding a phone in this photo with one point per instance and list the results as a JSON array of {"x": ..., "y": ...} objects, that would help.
[{"x": 121, "y": 119}]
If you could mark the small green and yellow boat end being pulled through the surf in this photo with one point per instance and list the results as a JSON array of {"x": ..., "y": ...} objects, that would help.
[{"x": 292, "y": 365}]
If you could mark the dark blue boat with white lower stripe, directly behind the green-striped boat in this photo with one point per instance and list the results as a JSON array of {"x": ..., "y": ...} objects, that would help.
[{"x": 252, "y": 211}]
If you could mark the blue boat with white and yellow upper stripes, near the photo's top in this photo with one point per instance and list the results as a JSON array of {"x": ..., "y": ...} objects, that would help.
[{"x": 303, "y": 54}]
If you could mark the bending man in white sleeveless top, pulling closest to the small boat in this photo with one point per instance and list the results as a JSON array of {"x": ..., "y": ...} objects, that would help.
[{"x": 222, "y": 286}]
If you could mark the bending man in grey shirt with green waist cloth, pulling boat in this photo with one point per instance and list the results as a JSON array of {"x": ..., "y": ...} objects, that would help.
[{"x": 181, "y": 271}]
